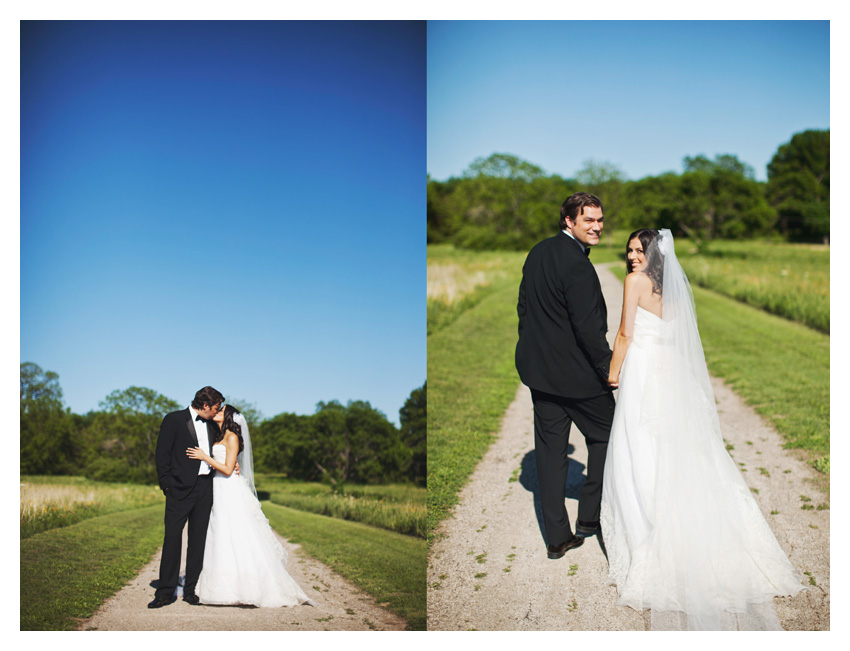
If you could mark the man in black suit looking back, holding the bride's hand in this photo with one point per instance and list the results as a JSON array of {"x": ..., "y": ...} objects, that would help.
[{"x": 563, "y": 357}]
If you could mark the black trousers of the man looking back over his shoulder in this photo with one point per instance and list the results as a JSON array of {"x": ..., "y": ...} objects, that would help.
[{"x": 553, "y": 416}]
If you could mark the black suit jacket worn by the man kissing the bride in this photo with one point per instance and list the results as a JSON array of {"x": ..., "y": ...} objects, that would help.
[{"x": 177, "y": 472}]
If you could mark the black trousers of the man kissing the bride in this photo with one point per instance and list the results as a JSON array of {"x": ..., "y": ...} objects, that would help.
[{"x": 194, "y": 508}]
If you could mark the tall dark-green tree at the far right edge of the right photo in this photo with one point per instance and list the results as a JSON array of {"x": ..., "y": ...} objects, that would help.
[{"x": 798, "y": 185}]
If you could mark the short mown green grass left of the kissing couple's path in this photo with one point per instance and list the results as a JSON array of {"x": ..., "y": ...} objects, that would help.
[{"x": 67, "y": 573}]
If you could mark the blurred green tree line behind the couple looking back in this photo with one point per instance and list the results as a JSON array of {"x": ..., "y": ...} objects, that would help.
[{"x": 504, "y": 202}]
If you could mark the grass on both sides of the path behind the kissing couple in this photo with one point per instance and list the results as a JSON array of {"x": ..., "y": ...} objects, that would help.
[{"x": 82, "y": 541}]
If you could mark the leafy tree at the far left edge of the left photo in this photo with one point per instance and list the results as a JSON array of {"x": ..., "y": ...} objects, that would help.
[{"x": 46, "y": 427}]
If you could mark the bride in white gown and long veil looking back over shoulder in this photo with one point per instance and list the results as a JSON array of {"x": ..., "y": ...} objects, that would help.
[{"x": 683, "y": 534}]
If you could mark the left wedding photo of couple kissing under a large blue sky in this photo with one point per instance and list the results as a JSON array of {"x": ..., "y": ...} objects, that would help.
[{"x": 222, "y": 325}]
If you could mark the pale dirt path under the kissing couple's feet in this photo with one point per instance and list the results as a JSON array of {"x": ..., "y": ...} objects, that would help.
[{"x": 340, "y": 606}]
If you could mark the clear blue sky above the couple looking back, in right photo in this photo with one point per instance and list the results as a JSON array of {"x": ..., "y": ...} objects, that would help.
[{"x": 639, "y": 94}]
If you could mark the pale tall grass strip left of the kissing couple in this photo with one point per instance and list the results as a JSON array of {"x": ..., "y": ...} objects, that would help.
[{"x": 52, "y": 502}]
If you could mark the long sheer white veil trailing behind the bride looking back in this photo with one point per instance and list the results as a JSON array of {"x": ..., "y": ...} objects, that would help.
[{"x": 711, "y": 561}]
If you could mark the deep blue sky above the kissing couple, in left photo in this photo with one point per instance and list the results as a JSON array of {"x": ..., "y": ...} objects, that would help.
[{"x": 240, "y": 204}]
